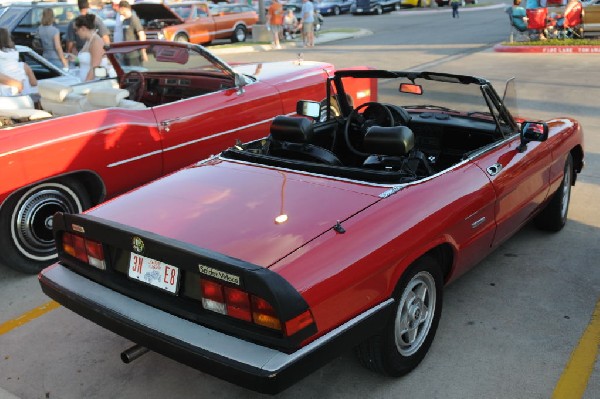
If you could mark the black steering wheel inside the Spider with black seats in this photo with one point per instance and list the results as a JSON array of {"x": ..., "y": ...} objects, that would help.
[{"x": 371, "y": 116}]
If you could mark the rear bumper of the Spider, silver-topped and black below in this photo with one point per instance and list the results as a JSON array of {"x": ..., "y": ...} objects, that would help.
[{"x": 241, "y": 362}]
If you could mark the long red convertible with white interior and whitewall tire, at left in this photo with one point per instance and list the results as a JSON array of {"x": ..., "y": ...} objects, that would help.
[{"x": 97, "y": 139}]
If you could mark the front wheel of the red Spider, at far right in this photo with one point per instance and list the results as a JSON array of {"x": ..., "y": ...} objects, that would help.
[{"x": 554, "y": 215}]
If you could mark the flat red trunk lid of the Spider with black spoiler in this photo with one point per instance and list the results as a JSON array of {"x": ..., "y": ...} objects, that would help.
[{"x": 231, "y": 208}]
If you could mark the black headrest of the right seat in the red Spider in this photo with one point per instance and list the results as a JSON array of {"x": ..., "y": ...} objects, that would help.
[{"x": 394, "y": 141}]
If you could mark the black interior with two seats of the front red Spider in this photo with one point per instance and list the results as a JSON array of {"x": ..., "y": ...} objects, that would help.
[{"x": 377, "y": 142}]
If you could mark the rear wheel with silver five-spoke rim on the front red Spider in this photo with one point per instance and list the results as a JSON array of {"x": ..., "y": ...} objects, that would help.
[{"x": 394, "y": 353}]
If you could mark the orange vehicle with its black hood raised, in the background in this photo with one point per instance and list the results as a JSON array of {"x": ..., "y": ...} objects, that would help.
[{"x": 193, "y": 21}]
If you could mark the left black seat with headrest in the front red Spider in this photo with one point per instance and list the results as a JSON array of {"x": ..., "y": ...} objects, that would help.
[{"x": 290, "y": 138}]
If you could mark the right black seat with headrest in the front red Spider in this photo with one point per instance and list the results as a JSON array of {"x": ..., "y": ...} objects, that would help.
[{"x": 393, "y": 149}]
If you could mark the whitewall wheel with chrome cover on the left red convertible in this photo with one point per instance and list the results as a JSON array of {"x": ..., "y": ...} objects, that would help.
[{"x": 26, "y": 222}]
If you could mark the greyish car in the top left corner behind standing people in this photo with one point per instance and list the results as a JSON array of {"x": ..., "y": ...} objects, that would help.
[{"x": 23, "y": 19}]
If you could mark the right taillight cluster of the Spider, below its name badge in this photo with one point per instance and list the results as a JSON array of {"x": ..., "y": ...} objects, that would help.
[{"x": 239, "y": 304}]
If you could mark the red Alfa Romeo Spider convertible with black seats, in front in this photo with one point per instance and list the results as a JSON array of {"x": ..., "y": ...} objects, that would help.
[{"x": 262, "y": 263}]
